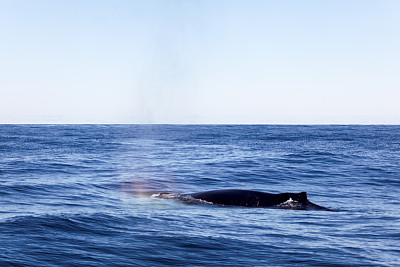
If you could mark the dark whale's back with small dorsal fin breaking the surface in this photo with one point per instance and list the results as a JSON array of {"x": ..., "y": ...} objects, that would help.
[{"x": 250, "y": 198}]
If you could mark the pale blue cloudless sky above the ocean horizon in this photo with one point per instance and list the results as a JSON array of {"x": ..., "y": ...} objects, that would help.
[{"x": 200, "y": 61}]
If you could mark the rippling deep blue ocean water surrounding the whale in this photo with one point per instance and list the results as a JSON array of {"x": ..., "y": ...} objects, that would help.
[{"x": 80, "y": 195}]
